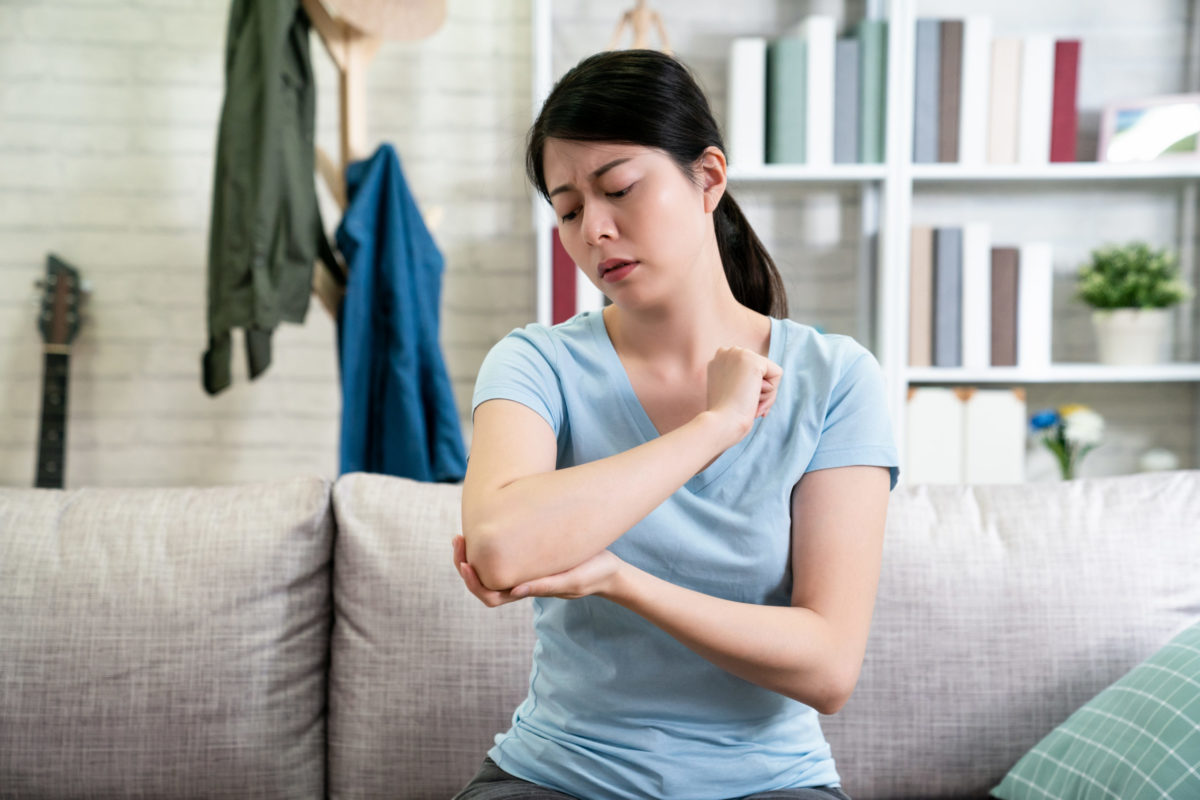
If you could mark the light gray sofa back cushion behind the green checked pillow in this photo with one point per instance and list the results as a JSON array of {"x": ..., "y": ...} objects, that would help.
[{"x": 1001, "y": 611}]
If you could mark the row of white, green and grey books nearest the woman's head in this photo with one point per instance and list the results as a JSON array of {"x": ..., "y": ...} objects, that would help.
[{"x": 808, "y": 97}]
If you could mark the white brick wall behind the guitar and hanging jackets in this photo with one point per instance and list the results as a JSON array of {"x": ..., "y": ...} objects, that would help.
[{"x": 109, "y": 118}]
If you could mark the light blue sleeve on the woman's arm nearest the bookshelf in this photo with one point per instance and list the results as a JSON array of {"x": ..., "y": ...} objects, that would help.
[{"x": 857, "y": 426}]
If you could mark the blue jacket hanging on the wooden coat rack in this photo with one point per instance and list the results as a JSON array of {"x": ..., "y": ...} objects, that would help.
[{"x": 399, "y": 413}]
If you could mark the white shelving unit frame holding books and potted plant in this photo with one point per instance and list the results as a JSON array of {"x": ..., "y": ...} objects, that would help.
[{"x": 889, "y": 194}]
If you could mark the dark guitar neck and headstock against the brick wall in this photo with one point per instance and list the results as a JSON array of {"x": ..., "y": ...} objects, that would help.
[{"x": 59, "y": 324}]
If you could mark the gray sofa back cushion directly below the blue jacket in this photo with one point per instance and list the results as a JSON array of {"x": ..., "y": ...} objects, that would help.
[{"x": 423, "y": 675}]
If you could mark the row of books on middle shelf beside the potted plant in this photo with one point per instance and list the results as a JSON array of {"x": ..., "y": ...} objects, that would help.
[{"x": 975, "y": 305}]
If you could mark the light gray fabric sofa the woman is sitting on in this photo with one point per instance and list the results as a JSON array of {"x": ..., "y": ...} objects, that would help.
[{"x": 308, "y": 639}]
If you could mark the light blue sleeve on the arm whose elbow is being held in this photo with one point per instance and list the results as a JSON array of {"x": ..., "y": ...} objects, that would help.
[{"x": 521, "y": 368}]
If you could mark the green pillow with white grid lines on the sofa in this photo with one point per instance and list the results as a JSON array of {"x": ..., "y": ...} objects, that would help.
[{"x": 1138, "y": 739}]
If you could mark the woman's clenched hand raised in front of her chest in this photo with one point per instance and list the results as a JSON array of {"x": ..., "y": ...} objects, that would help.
[{"x": 742, "y": 387}]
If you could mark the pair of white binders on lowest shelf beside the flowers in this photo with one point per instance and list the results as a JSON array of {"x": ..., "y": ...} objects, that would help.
[{"x": 965, "y": 436}]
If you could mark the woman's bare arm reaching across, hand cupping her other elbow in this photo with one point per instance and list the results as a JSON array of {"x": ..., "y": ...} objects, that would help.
[{"x": 813, "y": 651}]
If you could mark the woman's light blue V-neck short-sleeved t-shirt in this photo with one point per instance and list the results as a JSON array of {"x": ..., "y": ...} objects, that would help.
[{"x": 617, "y": 708}]
